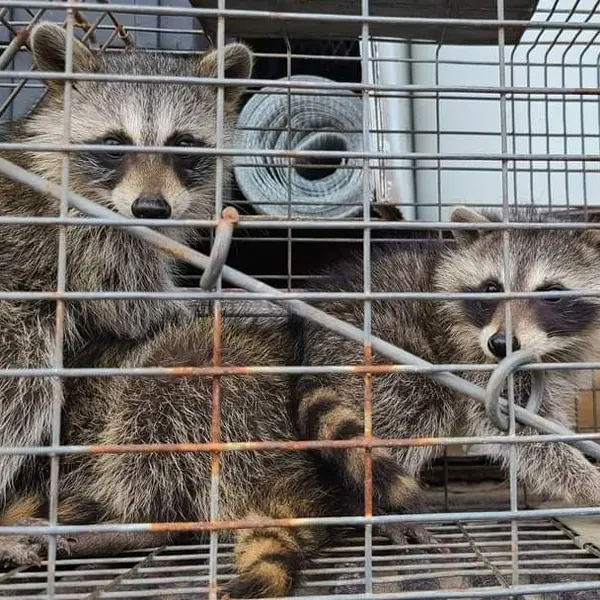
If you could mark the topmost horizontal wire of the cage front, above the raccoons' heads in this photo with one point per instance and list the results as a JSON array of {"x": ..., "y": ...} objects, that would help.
[{"x": 296, "y": 16}]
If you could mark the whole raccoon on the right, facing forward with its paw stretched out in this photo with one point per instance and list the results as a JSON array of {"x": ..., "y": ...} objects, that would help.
[{"x": 450, "y": 331}]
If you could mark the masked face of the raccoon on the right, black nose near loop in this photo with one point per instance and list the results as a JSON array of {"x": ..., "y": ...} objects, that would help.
[{"x": 560, "y": 329}]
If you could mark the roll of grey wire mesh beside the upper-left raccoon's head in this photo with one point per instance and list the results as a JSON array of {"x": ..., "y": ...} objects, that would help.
[{"x": 289, "y": 119}]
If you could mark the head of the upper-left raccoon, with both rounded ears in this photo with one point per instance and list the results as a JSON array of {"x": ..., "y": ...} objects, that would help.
[{"x": 128, "y": 113}]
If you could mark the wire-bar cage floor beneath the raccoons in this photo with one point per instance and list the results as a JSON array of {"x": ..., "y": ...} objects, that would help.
[{"x": 479, "y": 561}]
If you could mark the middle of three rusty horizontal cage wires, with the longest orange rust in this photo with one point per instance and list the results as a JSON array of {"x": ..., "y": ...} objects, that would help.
[{"x": 296, "y": 446}]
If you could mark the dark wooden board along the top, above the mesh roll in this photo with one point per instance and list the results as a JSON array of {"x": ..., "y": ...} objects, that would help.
[{"x": 278, "y": 26}]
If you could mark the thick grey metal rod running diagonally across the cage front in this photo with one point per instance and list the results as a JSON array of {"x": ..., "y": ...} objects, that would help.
[{"x": 181, "y": 252}]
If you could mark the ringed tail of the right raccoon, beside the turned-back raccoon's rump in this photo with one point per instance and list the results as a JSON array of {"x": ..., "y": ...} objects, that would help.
[{"x": 322, "y": 414}]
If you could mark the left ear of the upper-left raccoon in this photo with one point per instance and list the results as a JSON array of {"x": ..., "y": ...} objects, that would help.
[{"x": 48, "y": 45}]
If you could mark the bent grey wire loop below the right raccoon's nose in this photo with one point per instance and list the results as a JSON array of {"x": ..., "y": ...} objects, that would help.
[{"x": 497, "y": 408}]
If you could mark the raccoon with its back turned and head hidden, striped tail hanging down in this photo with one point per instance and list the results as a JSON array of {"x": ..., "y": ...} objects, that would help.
[{"x": 170, "y": 487}]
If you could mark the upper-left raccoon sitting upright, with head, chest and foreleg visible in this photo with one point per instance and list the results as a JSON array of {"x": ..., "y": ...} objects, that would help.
[{"x": 134, "y": 185}]
